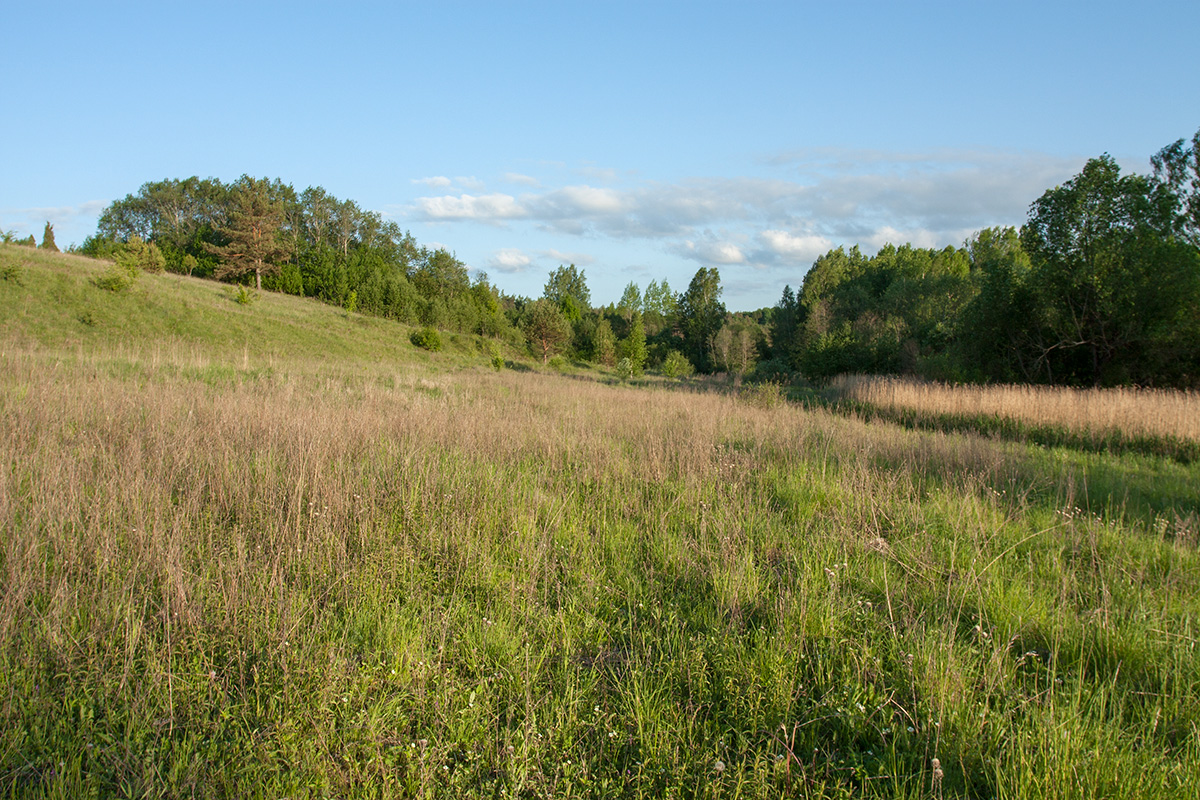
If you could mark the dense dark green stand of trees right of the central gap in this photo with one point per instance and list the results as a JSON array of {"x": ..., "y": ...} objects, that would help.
[{"x": 1100, "y": 287}]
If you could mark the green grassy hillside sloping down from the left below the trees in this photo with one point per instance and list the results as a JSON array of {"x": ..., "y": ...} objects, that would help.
[{"x": 52, "y": 302}]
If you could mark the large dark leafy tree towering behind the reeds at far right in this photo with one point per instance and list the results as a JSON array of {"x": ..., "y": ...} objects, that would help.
[{"x": 1113, "y": 278}]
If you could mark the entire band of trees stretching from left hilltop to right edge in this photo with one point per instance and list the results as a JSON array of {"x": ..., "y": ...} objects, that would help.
[{"x": 1100, "y": 287}]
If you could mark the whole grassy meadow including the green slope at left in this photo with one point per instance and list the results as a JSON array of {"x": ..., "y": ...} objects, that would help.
[{"x": 274, "y": 551}]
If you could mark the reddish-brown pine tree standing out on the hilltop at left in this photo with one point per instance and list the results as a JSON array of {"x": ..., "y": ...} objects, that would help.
[{"x": 253, "y": 233}]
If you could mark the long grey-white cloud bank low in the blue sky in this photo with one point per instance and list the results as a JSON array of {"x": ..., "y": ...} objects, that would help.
[{"x": 811, "y": 202}]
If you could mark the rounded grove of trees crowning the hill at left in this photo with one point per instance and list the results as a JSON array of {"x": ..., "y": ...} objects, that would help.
[{"x": 308, "y": 244}]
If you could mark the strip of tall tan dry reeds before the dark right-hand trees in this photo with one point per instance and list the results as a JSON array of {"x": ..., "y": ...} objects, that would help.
[{"x": 1133, "y": 412}]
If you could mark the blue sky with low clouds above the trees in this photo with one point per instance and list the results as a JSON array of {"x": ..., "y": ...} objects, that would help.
[{"x": 638, "y": 141}]
